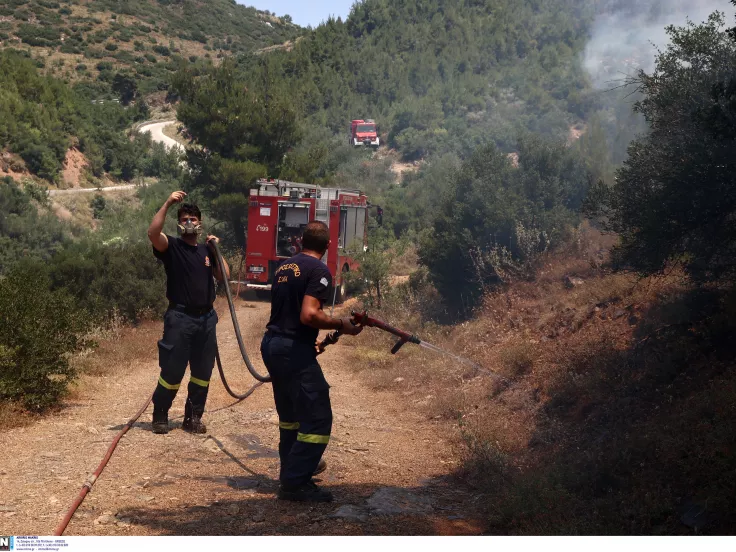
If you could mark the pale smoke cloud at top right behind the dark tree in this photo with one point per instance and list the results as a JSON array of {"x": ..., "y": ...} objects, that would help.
[{"x": 624, "y": 36}]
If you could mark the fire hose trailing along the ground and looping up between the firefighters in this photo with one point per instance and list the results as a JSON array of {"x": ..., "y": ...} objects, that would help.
[{"x": 87, "y": 487}]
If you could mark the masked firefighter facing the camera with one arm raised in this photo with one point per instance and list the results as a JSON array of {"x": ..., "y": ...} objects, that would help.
[{"x": 190, "y": 321}]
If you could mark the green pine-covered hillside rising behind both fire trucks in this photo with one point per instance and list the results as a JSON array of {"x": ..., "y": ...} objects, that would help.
[{"x": 442, "y": 78}]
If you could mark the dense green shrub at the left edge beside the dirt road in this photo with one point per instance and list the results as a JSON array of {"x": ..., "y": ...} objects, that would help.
[{"x": 38, "y": 329}]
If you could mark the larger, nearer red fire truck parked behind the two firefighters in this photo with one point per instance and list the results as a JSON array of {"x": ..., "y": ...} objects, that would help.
[{"x": 277, "y": 215}]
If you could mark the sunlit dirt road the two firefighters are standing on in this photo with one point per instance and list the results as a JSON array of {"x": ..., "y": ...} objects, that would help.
[{"x": 388, "y": 465}]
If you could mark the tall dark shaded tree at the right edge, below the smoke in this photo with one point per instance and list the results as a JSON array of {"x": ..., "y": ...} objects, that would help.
[{"x": 675, "y": 195}]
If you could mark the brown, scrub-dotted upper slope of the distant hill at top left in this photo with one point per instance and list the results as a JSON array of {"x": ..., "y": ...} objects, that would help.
[{"x": 83, "y": 39}]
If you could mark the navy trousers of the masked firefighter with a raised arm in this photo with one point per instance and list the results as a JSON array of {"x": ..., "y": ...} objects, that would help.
[{"x": 187, "y": 340}]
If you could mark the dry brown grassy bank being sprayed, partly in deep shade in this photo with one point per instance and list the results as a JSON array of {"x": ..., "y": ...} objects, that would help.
[{"x": 614, "y": 416}]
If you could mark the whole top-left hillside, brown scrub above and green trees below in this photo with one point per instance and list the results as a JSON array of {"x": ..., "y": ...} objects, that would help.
[{"x": 60, "y": 58}]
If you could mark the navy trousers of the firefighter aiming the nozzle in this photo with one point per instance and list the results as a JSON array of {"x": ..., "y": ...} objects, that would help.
[{"x": 302, "y": 398}]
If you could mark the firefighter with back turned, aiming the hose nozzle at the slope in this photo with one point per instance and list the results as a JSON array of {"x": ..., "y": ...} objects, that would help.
[{"x": 300, "y": 288}]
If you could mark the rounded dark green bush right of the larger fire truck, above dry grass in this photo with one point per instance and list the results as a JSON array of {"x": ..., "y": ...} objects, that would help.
[{"x": 494, "y": 220}]
